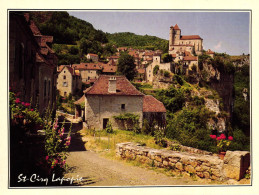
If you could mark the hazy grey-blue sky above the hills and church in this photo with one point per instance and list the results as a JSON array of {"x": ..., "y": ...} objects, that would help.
[{"x": 221, "y": 31}]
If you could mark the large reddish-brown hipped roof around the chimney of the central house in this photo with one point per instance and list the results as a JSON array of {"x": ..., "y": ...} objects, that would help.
[{"x": 123, "y": 87}]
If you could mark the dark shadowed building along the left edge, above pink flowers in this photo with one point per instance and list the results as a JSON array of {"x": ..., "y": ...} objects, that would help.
[{"x": 32, "y": 62}]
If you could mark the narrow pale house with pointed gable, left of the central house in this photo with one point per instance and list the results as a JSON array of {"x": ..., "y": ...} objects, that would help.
[{"x": 68, "y": 81}]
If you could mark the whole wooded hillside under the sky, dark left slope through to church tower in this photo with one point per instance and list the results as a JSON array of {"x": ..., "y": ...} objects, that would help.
[{"x": 73, "y": 37}]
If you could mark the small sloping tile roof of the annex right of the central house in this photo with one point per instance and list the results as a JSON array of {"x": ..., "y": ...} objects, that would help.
[{"x": 151, "y": 104}]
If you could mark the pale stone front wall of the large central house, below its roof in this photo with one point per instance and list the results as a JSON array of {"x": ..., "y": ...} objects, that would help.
[{"x": 101, "y": 108}]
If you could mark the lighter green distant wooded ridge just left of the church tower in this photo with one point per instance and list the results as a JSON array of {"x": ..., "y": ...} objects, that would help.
[{"x": 138, "y": 41}]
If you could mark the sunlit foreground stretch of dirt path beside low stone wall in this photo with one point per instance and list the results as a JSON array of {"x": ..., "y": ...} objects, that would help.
[{"x": 99, "y": 171}]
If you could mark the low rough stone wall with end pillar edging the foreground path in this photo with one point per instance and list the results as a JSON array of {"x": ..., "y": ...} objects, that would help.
[{"x": 203, "y": 166}]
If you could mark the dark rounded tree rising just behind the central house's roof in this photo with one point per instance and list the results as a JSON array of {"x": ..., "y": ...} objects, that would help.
[{"x": 126, "y": 66}]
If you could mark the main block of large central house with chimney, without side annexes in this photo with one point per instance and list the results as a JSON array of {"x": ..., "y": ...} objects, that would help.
[{"x": 111, "y": 96}]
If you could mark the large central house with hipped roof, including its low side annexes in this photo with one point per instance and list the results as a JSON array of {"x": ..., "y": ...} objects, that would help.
[{"x": 114, "y": 95}]
